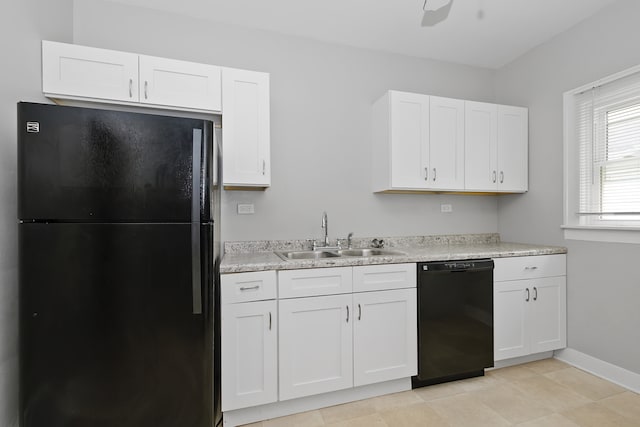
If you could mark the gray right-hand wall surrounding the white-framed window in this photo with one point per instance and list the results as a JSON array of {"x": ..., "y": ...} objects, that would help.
[{"x": 603, "y": 279}]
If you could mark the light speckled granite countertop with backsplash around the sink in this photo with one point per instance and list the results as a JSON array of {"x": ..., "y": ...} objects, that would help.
[{"x": 260, "y": 256}]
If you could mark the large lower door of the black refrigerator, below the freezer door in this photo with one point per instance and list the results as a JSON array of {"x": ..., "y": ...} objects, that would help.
[{"x": 108, "y": 334}]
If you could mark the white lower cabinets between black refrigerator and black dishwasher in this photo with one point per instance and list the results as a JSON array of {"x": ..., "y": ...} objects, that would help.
[{"x": 329, "y": 338}]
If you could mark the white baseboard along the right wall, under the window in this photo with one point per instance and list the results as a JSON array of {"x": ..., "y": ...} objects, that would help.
[{"x": 600, "y": 368}]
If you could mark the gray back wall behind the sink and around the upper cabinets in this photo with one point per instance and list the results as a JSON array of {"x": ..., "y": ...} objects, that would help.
[{"x": 321, "y": 96}]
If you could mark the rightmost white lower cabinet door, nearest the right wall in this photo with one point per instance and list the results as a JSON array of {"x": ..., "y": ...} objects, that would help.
[{"x": 548, "y": 314}]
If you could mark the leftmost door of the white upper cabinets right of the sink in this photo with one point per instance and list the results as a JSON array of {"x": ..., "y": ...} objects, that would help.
[{"x": 409, "y": 138}]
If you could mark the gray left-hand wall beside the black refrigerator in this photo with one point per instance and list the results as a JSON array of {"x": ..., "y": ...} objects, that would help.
[{"x": 24, "y": 24}]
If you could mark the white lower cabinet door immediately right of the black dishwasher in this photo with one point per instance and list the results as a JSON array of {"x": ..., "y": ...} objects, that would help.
[{"x": 511, "y": 319}]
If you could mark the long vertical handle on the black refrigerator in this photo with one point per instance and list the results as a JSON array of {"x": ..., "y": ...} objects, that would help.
[{"x": 196, "y": 275}]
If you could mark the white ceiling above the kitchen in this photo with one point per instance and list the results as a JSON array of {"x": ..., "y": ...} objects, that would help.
[{"x": 485, "y": 33}]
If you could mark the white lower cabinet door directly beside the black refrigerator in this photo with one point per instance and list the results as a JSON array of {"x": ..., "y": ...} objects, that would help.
[{"x": 249, "y": 354}]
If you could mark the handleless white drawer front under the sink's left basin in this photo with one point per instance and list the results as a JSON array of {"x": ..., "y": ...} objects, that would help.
[{"x": 315, "y": 282}]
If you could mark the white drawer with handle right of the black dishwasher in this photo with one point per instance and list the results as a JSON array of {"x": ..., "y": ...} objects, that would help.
[{"x": 529, "y": 267}]
